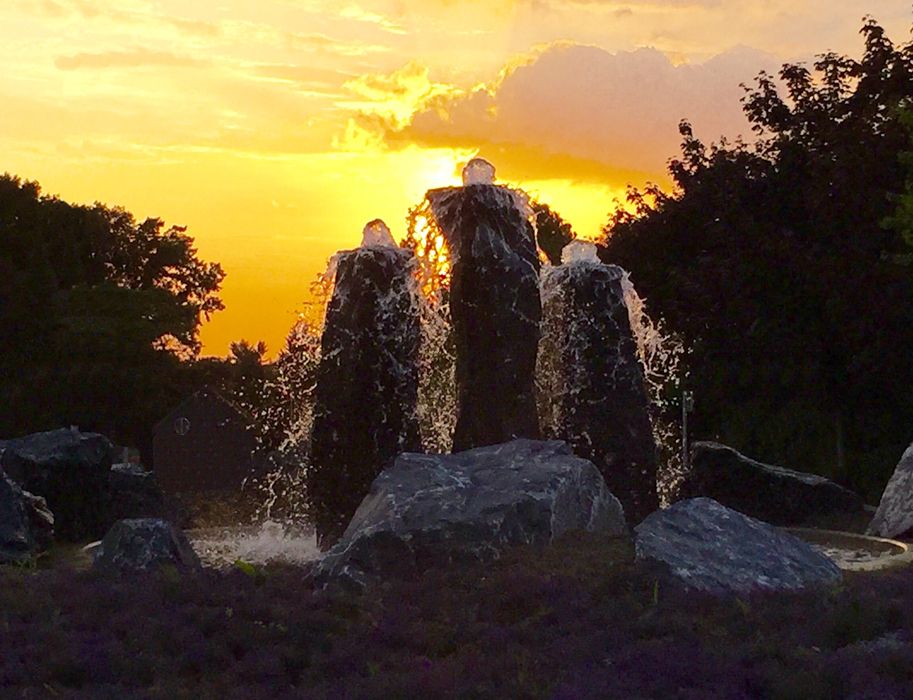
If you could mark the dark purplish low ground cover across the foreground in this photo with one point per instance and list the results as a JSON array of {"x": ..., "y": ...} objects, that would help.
[{"x": 578, "y": 620}]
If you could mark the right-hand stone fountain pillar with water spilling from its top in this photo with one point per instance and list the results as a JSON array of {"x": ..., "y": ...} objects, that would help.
[{"x": 594, "y": 389}]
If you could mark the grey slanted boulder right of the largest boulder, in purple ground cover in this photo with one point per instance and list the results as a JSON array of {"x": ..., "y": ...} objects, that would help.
[{"x": 705, "y": 546}]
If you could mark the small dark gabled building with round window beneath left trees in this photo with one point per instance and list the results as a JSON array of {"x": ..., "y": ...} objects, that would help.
[{"x": 204, "y": 444}]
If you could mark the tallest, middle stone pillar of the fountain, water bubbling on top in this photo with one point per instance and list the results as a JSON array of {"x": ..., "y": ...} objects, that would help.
[{"x": 495, "y": 307}]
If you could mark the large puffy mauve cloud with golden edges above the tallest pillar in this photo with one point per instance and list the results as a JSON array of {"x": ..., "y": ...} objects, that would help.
[{"x": 575, "y": 111}]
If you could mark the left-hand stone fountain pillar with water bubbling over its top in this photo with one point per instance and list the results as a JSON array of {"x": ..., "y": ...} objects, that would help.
[{"x": 367, "y": 381}]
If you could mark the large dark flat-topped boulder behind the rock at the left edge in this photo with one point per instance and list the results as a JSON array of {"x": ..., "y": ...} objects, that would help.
[{"x": 69, "y": 469}]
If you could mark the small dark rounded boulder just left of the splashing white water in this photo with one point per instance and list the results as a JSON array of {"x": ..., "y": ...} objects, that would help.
[{"x": 144, "y": 544}]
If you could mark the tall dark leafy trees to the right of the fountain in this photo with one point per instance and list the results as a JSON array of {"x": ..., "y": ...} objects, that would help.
[{"x": 784, "y": 266}]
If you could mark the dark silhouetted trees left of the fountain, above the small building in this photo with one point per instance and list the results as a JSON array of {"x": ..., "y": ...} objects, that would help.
[{"x": 99, "y": 318}]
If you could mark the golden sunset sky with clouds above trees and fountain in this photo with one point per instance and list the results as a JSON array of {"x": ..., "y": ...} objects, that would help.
[{"x": 274, "y": 129}]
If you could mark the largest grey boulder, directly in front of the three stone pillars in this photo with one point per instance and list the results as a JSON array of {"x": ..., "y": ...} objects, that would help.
[{"x": 428, "y": 510}]
